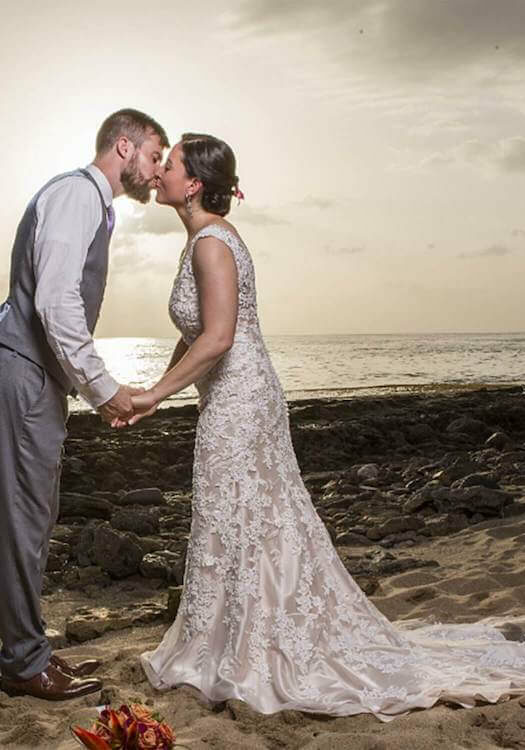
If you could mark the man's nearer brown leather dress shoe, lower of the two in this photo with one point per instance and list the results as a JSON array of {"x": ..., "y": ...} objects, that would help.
[{"x": 51, "y": 685}]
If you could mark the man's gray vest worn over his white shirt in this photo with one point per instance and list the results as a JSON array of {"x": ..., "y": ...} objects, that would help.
[{"x": 20, "y": 326}]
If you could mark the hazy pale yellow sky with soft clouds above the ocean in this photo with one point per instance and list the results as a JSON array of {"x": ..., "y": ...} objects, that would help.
[{"x": 380, "y": 146}]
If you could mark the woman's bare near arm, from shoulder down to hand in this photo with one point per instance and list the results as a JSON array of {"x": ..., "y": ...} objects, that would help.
[{"x": 216, "y": 278}]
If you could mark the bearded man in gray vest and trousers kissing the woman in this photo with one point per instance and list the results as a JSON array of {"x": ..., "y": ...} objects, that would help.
[{"x": 58, "y": 274}]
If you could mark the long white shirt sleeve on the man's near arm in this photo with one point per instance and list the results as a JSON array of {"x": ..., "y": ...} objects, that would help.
[{"x": 68, "y": 216}]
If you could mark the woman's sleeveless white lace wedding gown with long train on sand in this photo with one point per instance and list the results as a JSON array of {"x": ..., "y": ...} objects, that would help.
[{"x": 268, "y": 612}]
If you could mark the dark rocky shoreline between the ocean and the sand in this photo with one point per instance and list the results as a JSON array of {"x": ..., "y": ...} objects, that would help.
[{"x": 386, "y": 474}]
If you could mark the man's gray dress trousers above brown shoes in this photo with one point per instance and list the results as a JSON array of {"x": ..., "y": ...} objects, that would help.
[{"x": 33, "y": 413}]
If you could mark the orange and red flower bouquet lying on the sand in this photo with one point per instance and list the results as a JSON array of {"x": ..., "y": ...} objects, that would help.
[{"x": 132, "y": 727}]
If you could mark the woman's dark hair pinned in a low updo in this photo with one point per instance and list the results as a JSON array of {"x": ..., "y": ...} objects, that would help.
[{"x": 211, "y": 161}]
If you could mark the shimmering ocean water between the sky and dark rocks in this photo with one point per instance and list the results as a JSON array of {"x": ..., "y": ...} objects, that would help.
[{"x": 345, "y": 365}]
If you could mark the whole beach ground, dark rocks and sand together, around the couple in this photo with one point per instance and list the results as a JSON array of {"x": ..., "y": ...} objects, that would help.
[{"x": 423, "y": 495}]
